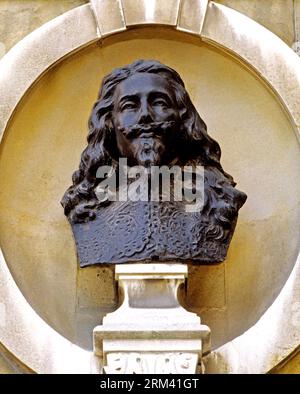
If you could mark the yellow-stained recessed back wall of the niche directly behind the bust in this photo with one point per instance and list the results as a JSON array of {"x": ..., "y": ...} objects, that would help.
[{"x": 41, "y": 149}]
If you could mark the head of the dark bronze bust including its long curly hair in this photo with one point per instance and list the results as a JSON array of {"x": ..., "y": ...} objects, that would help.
[{"x": 144, "y": 113}]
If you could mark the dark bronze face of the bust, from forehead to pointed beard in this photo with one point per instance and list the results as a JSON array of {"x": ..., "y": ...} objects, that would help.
[{"x": 145, "y": 117}]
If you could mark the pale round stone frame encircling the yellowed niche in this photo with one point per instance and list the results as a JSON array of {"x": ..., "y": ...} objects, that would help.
[{"x": 27, "y": 340}]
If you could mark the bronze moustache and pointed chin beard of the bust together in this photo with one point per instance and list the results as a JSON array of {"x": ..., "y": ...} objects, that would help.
[{"x": 148, "y": 142}]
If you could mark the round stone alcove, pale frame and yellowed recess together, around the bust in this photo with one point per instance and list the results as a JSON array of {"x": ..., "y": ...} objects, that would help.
[{"x": 244, "y": 82}]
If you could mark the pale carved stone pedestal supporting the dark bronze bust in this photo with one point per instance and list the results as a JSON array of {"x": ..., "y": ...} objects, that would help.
[{"x": 151, "y": 332}]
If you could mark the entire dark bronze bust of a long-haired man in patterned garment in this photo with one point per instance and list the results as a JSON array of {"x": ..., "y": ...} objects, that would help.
[{"x": 144, "y": 115}]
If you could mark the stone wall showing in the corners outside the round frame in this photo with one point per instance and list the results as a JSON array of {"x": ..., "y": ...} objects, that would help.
[{"x": 19, "y": 17}]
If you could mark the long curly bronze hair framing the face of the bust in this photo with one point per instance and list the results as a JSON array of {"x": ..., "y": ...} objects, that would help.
[{"x": 79, "y": 201}]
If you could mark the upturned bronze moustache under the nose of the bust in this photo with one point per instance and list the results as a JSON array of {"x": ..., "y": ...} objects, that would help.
[{"x": 155, "y": 128}]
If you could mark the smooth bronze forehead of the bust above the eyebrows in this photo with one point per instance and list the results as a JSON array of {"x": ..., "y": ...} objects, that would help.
[{"x": 143, "y": 83}]
